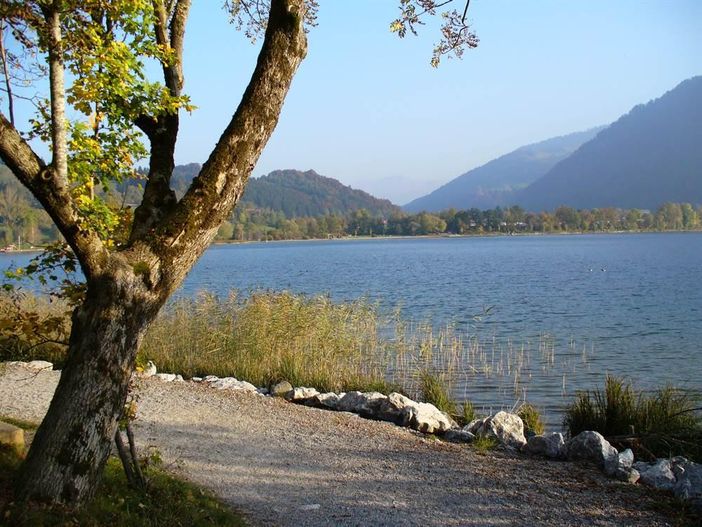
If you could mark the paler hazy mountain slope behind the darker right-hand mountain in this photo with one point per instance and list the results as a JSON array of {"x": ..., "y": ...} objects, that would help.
[{"x": 495, "y": 182}]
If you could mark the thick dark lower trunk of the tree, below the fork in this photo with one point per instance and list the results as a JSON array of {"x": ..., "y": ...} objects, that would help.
[{"x": 69, "y": 450}]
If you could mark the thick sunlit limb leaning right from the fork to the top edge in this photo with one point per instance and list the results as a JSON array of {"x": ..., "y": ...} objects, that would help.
[{"x": 185, "y": 233}]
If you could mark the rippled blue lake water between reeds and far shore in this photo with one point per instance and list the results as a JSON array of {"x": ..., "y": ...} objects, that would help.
[{"x": 562, "y": 311}]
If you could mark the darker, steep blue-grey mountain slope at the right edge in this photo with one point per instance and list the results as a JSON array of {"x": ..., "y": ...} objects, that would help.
[{"x": 649, "y": 156}]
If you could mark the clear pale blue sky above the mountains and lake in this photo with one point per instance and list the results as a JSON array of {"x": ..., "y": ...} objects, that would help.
[{"x": 367, "y": 109}]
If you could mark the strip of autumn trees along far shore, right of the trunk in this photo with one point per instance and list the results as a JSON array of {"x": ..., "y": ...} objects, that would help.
[{"x": 255, "y": 224}]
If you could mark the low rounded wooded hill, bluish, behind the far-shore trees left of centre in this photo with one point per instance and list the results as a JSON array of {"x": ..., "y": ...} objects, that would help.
[{"x": 296, "y": 193}]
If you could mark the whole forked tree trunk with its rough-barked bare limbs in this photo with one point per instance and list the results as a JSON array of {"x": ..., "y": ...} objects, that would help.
[{"x": 126, "y": 290}]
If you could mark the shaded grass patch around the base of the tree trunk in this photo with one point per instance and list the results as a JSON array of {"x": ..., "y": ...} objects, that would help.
[{"x": 167, "y": 501}]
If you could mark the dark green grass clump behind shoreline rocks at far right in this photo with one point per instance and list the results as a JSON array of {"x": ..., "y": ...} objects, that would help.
[{"x": 665, "y": 422}]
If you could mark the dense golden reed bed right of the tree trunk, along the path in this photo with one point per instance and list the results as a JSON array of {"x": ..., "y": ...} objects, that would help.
[{"x": 267, "y": 337}]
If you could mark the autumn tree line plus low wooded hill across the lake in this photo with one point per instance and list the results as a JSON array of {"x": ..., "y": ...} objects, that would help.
[{"x": 315, "y": 207}]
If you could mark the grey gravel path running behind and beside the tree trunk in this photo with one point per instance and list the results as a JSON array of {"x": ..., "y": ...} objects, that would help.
[{"x": 288, "y": 465}]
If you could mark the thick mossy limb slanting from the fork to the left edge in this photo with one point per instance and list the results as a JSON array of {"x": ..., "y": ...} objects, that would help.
[{"x": 44, "y": 184}]
